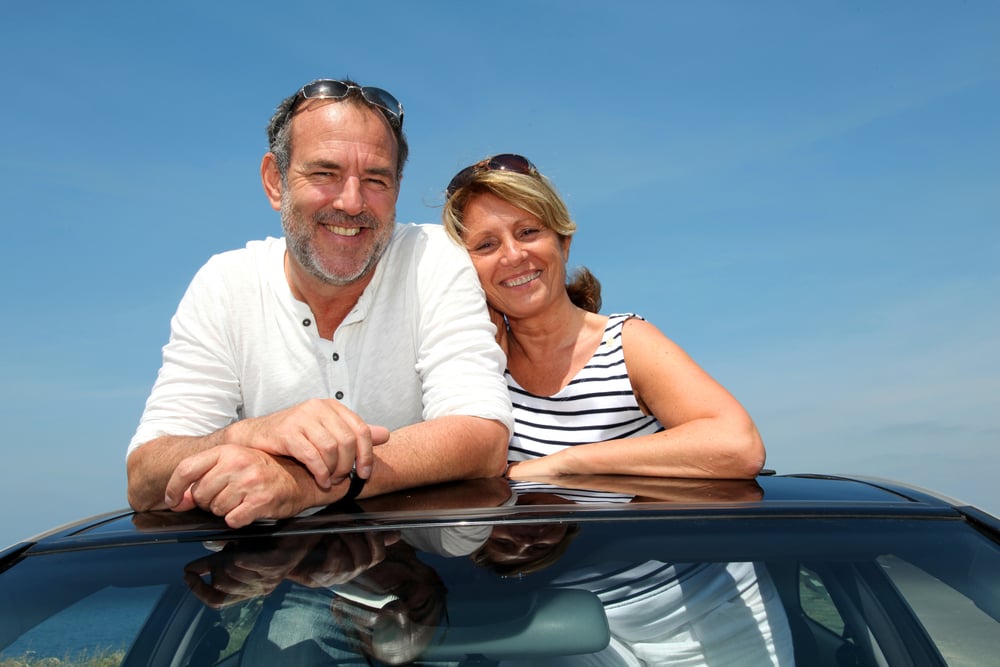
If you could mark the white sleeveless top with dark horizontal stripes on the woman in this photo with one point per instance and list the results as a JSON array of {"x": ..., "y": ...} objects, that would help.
[{"x": 598, "y": 404}]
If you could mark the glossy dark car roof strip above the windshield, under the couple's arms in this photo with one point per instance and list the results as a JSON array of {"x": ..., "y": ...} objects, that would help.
[{"x": 590, "y": 498}]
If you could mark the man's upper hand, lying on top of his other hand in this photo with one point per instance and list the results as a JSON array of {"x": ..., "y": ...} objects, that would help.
[{"x": 327, "y": 438}]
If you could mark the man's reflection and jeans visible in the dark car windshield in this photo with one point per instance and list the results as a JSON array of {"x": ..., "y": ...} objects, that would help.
[{"x": 326, "y": 596}]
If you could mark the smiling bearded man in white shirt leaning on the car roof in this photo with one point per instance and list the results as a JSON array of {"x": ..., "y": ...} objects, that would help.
[{"x": 353, "y": 356}]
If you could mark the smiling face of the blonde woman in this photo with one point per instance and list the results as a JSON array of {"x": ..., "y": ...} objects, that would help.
[{"x": 521, "y": 263}]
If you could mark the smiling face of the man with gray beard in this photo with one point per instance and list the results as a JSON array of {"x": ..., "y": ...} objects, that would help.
[{"x": 338, "y": 202}]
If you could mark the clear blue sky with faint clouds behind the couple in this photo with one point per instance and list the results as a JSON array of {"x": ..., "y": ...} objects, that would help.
[{"x": 806, "y": 196}]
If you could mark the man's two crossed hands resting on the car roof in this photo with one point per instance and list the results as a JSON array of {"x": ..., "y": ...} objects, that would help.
[{"x": 277, "y": 465}]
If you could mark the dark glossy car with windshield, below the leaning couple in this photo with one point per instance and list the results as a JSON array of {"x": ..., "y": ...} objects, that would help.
[{"x": 785, "y": 569}]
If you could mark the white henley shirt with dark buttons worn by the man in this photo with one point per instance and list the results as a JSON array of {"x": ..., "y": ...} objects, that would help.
[{"x": 418, "y": 344}]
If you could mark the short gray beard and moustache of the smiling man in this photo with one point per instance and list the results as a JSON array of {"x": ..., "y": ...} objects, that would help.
[{"x": 298, "y": 243}]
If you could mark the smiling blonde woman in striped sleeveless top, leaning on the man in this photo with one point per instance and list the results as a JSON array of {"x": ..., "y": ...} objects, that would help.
[{"x": 583, "y": 383}]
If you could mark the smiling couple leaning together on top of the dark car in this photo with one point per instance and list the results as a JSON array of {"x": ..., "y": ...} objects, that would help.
[{"x": 356, "y": 356}]
